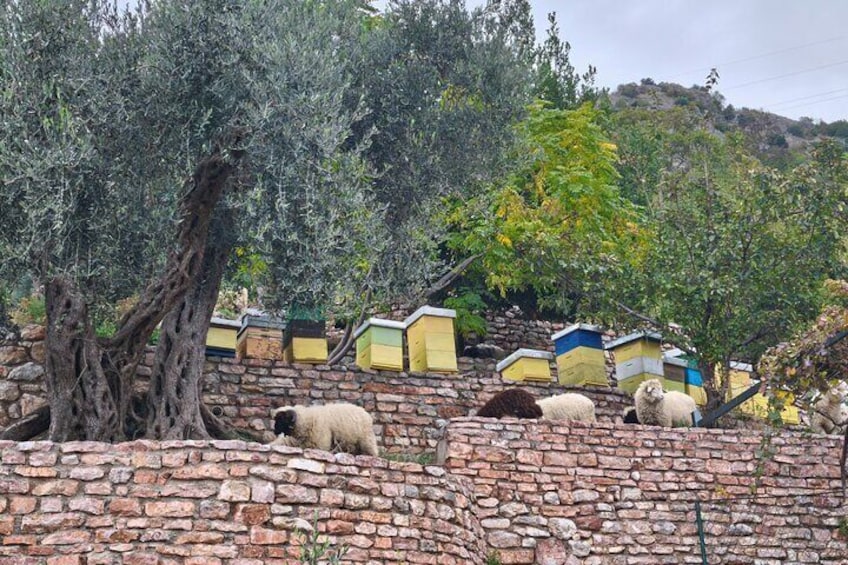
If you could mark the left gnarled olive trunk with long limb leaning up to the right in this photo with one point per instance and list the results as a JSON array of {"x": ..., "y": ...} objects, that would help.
[{"x": 89, "y": 381}]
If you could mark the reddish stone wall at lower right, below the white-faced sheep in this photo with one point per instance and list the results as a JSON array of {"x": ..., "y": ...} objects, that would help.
[{"x": 555, "y": 494}]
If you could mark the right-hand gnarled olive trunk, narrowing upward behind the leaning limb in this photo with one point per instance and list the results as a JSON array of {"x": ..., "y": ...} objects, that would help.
[{"x": 174, "y": 397}]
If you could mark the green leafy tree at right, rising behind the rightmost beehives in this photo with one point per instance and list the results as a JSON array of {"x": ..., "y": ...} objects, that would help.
[{"x": 740, "y": 249}]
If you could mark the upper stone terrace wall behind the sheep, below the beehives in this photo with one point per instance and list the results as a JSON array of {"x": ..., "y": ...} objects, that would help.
[{"x": 409, "y": 409}]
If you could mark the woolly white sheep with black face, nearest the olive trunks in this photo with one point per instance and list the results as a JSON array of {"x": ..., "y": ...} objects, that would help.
[{"x": 343, "y": 427}]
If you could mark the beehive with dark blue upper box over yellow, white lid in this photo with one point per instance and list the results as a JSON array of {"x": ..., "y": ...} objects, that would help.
[{"x": 580, "y": 356}]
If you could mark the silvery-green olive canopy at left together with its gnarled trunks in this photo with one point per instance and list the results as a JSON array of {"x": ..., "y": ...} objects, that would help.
[{"x": 140, "y": 148}]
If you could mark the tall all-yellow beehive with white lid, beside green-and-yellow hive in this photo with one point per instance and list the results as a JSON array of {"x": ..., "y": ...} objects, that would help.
[{"x": 431, "y": 341}]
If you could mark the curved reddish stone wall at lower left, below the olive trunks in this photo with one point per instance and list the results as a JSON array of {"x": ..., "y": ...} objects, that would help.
[{"x": 225, "y": 502}]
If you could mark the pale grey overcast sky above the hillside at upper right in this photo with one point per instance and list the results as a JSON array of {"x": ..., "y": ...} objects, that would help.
[{"x": 789, "y": 57}]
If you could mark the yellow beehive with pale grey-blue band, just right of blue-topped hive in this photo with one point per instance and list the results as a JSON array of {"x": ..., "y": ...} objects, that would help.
[{"x": 638, "y": 357}]
